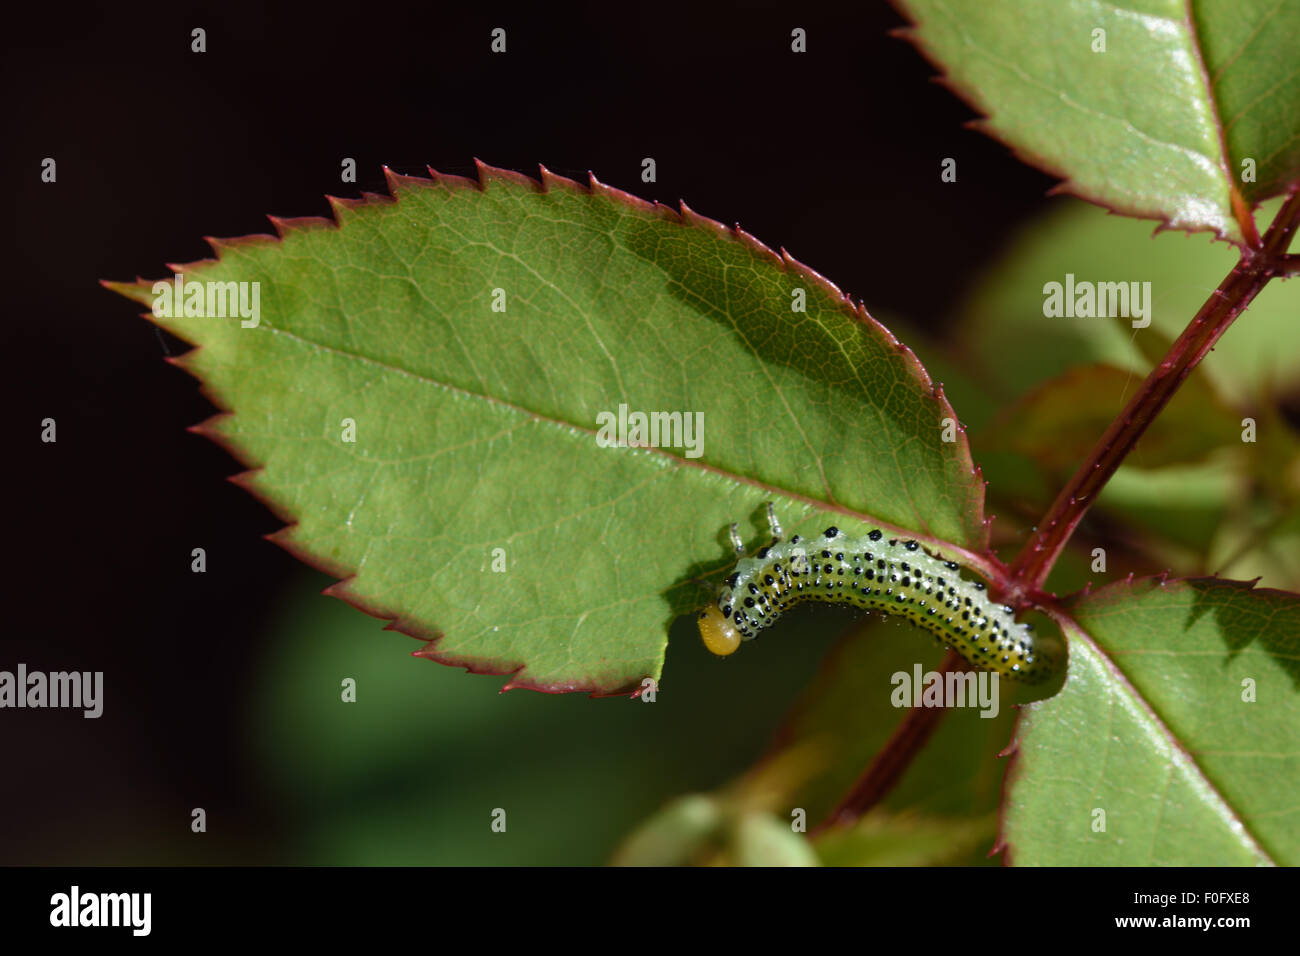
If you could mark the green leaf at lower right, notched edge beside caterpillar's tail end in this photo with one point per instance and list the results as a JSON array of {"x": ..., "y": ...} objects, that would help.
[{"x": 1177, "y": 721}]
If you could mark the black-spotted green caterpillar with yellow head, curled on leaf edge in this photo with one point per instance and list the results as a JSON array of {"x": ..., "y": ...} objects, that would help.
[{"x": 872, "y": 572}]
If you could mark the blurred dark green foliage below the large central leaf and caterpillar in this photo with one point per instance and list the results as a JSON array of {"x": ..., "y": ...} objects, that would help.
[{"x": 413, "y": 772}]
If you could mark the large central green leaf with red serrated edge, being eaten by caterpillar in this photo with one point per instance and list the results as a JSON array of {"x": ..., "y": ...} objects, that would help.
[{"x": 478, "y": 430}]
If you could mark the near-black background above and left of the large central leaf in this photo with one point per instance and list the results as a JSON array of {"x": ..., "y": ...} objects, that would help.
[{"x": 833, "y": 154}]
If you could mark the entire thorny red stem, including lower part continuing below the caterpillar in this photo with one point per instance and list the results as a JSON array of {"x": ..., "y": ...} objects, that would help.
[{"x": 1026, "y": 576}]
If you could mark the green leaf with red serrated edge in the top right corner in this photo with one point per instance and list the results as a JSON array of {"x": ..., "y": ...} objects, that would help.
[{"x": 1154, "y": 116}]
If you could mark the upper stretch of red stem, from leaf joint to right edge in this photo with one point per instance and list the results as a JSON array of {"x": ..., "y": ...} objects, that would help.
[{"x": 1028, "y": 574}]
